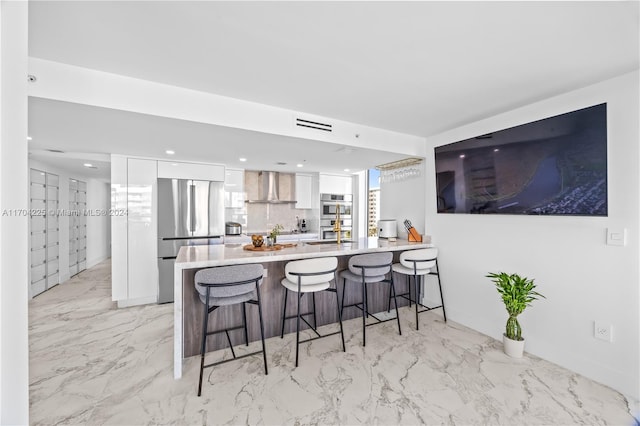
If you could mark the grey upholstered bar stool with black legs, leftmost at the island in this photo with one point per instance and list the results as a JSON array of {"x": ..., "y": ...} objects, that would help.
[{"x": 224, "y": 286}]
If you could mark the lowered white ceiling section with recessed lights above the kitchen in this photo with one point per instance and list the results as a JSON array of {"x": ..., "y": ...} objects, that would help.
[{"x": 87, "y": 134}]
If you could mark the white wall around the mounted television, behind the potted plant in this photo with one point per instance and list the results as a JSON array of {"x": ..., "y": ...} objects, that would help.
[{"x": 583, "y": 279}]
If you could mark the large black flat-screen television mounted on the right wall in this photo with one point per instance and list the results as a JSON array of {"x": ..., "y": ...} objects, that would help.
[{"x": 553, "y": 166}]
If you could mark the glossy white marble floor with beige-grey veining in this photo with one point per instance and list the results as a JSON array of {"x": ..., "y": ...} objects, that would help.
[{"x": 93, "y": 364}]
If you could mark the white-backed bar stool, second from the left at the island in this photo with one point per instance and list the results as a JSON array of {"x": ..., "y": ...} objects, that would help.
[{"x": 310, "y": 276}]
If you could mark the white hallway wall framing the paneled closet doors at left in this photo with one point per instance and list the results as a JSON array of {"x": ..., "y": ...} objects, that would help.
[{"x": 98, "y": 227}]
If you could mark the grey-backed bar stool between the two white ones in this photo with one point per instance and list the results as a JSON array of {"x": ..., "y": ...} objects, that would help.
[{"x": 367, "y": 269}]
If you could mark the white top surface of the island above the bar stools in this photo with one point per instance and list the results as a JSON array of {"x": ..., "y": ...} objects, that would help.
[{"x": 233, "y": 254}]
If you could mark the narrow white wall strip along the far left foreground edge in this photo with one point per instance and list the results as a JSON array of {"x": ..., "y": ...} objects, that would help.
[{"x": 14, "y": 181}]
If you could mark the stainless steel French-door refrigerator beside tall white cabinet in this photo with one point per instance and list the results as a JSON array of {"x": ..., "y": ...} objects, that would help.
[{"x": 190, "y": 212}]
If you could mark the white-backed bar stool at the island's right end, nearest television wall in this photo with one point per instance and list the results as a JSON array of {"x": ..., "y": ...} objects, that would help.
[{"x": 418, "y": 264}]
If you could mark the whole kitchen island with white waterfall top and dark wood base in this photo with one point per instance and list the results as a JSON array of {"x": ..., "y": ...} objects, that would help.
[{"x": 189, "y": 311}]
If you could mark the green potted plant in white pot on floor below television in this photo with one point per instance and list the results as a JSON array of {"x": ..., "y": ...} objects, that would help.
[{"x": 517, "y": 293}]
